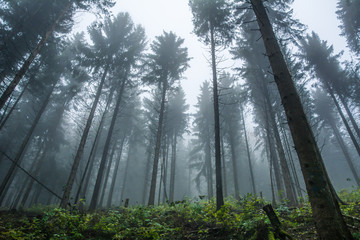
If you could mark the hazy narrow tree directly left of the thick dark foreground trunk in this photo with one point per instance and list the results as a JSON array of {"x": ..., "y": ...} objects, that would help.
[{"x": 260, "y": 91}]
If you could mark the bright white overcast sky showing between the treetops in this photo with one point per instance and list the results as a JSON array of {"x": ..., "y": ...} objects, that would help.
[{"x": 157, "y": 16}]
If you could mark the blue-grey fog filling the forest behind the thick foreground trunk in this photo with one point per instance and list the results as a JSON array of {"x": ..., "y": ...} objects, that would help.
[{"x": 107, "y": 103}]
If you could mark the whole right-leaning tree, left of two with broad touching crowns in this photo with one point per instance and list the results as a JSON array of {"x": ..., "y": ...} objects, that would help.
[{"x": 104, "y": 54}]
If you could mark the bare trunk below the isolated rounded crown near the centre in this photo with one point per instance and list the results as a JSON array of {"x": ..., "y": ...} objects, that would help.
[{"x": 158, "y": 143}]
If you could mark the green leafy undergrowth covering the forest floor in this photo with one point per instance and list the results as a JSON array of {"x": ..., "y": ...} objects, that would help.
[{"x": 188, "y": 219}]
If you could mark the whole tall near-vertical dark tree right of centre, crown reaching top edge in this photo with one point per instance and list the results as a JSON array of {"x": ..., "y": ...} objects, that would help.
[{"x": 212, "y": 24}]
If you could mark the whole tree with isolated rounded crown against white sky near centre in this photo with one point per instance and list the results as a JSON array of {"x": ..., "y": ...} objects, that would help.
[{"x": 166, "y": 64}]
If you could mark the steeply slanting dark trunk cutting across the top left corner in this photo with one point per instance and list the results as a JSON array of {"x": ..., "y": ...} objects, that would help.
[{"x": 19, "y": 75}]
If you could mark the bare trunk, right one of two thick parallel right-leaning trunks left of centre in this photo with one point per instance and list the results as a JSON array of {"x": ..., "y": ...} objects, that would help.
[{"x": 99, "y": 178}]
